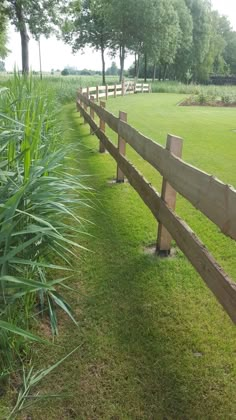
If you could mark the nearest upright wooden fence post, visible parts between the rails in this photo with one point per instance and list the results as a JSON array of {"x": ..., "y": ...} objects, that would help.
[{"x": 174, "y": 145}]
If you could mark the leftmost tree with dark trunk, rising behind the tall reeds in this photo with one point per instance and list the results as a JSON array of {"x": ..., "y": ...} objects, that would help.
[{"x": 37, "y": 16}]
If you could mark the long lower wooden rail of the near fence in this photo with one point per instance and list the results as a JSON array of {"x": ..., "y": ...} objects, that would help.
[{"x": 215, "y": 278}]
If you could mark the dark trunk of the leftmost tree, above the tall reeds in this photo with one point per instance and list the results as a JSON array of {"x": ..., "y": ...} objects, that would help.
[{"x": 24, "y": 38}]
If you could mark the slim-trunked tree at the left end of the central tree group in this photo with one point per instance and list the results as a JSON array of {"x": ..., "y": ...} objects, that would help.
[{"x": 88, "y": 24}]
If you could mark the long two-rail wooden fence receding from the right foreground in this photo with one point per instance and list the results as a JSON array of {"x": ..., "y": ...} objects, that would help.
[{"x": 212, "y": 197}]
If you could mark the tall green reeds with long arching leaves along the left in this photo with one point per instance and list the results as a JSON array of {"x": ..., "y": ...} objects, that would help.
[{"x": 38, "y": 226}]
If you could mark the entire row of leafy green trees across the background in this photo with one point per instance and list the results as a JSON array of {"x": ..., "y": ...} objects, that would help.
[{"x": 182, "y": 39}]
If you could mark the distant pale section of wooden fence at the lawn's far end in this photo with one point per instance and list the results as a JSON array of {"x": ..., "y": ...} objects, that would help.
[{"x": 125, "y": 88}]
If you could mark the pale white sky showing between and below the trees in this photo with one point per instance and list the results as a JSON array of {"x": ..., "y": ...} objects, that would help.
[{"x": 57, "y": 55}]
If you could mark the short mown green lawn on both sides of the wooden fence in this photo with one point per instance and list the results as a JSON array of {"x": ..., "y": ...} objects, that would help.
[{"x": 155, "y": 344}]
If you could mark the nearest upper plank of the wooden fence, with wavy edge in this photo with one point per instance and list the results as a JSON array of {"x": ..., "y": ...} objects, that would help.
[{"x": 209, "y": 195}]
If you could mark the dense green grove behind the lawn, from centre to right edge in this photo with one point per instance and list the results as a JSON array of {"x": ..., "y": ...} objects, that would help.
[{"x": 176, "y": 36}]
